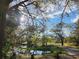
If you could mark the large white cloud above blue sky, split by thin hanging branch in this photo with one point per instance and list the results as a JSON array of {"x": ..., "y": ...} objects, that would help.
[{"x": 52, "y": 10}]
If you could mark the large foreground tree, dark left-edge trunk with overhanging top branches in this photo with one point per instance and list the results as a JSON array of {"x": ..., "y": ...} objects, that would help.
[{"x": 4, "y": 7}]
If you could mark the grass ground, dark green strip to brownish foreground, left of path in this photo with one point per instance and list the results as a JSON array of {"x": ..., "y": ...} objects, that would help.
[{"x": 54, "y": 50}]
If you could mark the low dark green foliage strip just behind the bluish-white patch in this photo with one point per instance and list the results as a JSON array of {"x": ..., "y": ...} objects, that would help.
[{"x": 52, "y": 48}]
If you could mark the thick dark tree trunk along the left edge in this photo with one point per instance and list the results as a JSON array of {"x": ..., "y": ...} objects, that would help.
[{"x": 3, "y": 9}]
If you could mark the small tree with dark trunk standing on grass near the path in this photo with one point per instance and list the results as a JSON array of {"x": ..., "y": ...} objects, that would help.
[{"x": 58, "y": 32}]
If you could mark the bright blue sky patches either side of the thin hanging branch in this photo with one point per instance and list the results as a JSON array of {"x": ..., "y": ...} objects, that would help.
[{"x": 68, "y": 20}]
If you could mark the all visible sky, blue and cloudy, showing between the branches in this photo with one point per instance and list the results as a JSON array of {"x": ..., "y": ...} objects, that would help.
[{"x": 52, "y": 13}]
